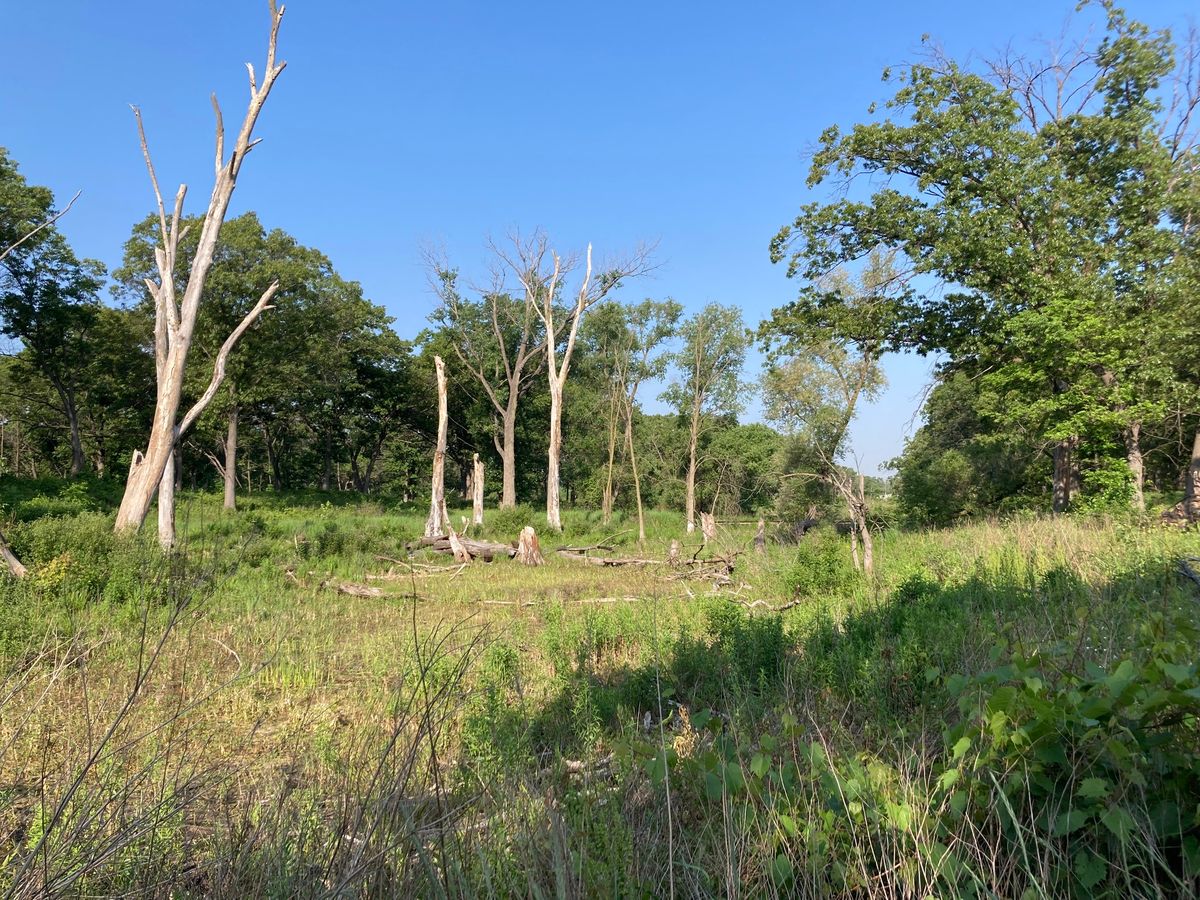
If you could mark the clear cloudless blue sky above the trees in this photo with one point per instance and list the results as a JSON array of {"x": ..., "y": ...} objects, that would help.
[{"x": 401, "y": 124}]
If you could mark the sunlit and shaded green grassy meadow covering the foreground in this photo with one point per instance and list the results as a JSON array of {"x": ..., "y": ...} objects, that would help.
[{"x": 225, "y": 723}]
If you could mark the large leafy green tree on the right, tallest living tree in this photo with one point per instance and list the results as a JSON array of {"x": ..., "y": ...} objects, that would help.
[{"x": 1029, "y": 202}]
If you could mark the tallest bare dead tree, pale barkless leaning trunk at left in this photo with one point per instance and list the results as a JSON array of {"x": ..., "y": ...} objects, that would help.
[{"x": 176, "y": 321}]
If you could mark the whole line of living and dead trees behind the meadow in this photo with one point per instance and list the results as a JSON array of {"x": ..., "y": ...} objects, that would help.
[{"x": 1033, "y": 225}]
